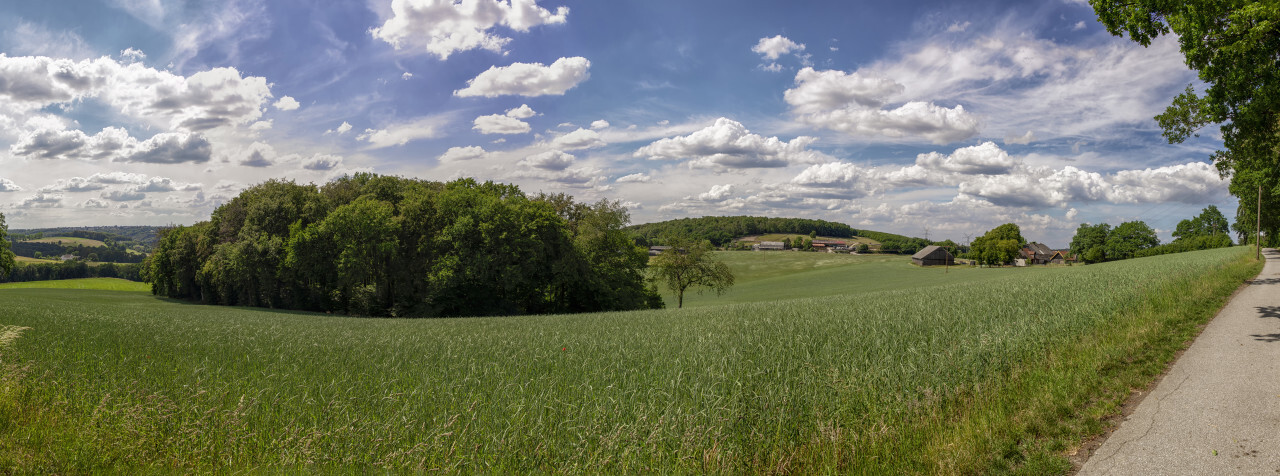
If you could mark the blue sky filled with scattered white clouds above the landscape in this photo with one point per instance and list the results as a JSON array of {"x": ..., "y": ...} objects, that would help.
[{"x": 938, "y": 120}]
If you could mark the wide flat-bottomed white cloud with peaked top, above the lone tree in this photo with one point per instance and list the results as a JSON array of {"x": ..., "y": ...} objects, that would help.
[{"x": 728, "y": 144}]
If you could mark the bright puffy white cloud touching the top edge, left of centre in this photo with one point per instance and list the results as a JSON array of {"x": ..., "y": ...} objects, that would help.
[{"x": 445, "y": 28}]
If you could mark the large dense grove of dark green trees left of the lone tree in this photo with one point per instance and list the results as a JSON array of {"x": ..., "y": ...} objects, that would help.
[{"x": 390, "y": 246}]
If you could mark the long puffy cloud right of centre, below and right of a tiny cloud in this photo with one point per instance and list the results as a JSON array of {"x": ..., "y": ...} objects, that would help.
[{"x": 854, "y": 103}]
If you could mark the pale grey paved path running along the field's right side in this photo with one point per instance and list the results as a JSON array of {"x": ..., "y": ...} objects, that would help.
[{"x": 1218, "y": 411}]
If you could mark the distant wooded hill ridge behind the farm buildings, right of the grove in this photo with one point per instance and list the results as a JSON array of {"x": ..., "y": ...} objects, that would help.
[{"x": 723, "y": 231}]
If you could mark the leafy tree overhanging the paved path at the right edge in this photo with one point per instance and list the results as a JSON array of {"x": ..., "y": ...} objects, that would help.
[{"x": 1232, "y": 45}]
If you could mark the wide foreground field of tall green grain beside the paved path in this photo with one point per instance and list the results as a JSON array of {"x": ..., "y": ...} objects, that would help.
[{"x": 991, "y": 372}]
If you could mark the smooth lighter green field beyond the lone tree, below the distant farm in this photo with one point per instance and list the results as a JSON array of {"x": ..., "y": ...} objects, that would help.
[{"x": 775, "y": 276}]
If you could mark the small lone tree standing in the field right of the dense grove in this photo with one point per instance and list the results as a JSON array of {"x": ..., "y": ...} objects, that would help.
[{"x": 691, "y": 264}]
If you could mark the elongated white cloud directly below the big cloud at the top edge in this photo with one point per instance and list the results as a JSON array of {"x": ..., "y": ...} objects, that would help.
[{"x": 529, "y": 79}]
